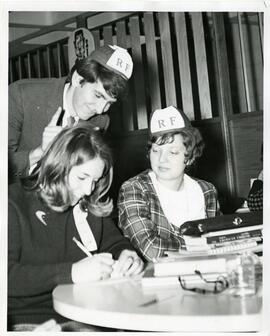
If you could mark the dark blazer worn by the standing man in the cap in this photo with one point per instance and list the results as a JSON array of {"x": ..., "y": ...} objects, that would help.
[{"x": 32, "y": 103}]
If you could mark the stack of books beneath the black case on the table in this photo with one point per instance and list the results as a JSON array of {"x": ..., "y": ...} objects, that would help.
[{"x": 224, "y": 241}]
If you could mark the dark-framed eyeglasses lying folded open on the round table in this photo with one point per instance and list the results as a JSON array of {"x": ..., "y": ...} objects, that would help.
[{"x": 220, "y": 284}]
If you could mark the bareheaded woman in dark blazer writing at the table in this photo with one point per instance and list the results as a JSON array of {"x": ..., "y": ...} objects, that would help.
[{"x": 53, "y": 211}]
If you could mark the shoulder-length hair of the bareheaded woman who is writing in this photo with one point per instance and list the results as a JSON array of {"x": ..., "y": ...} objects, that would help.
[{"x": 71, "y": 147}]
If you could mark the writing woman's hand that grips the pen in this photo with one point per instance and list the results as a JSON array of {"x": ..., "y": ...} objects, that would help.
[{"x": 96, "y": 267}]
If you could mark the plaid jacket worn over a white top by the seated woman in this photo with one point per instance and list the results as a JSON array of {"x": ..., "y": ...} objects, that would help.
[{"x": 142, "y": 219}]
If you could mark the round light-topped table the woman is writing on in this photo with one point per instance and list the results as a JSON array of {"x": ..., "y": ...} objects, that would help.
[{"x": 125, "y": 304}]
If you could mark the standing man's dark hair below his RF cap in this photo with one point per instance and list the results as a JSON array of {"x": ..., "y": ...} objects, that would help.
[{"x": 91, "y": 71}]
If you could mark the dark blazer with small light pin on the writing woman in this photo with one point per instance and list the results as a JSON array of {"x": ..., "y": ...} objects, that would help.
[{"x": 41, "y": 253}]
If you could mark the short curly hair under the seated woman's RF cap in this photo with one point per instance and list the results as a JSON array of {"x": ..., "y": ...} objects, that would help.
[{"x": 192, "y": 140}]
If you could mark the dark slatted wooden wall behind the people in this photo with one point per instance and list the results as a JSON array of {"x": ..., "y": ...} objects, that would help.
[{"x": 159, "y": 42}]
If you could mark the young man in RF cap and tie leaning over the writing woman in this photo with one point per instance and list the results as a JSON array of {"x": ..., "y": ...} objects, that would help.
[{"x": 40, "y": 108}]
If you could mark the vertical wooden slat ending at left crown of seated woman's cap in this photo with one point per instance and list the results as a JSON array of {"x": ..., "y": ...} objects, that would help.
[{"x": 152, "y": 62}]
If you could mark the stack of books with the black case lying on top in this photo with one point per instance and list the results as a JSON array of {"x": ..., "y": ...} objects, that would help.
[{"x": 231, "y": 233}]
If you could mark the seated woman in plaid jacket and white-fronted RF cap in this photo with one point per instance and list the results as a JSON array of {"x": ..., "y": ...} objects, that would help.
[{"x": 154, "y": 204}]
